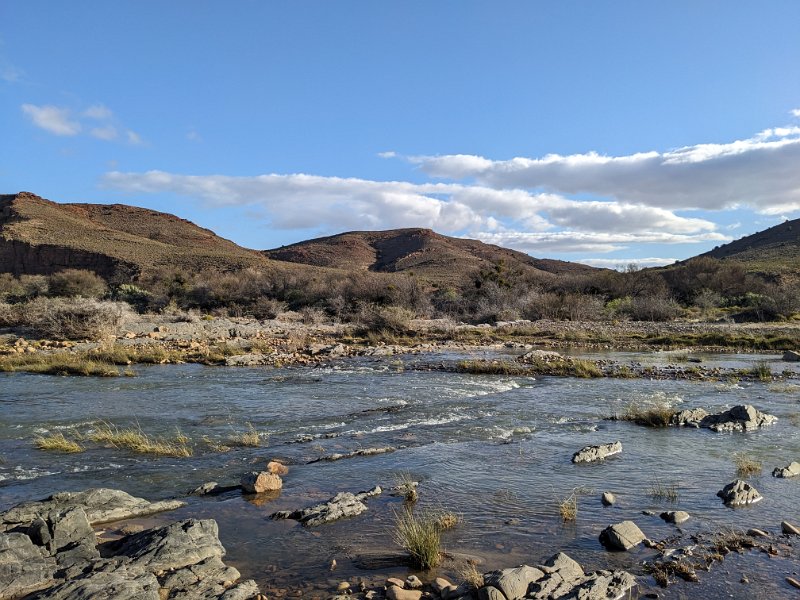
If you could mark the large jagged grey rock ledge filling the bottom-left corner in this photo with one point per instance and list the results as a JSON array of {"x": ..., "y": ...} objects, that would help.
[{"x": 50, "y": 549}]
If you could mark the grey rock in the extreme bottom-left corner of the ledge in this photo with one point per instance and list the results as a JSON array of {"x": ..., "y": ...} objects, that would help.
[{"x": 24, "y": 567}]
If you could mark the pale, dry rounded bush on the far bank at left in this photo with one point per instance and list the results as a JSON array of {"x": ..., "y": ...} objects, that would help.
[{"x": 74, "y": 319}]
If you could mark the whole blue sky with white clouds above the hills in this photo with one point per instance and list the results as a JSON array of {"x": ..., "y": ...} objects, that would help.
[{"x": 599, "y": 132}]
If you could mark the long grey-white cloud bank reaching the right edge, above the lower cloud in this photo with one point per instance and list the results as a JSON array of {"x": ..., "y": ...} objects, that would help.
[{"x": 762, "y": 172}]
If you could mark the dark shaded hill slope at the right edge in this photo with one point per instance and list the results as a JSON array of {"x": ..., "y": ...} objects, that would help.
[{"x": 773, "y": 251}]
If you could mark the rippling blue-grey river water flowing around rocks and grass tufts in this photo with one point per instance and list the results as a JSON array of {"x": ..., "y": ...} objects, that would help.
[{"x": 495, "y": 450}]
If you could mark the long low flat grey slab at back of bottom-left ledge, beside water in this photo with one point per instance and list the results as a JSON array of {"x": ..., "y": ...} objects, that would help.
[{"x": 100, "y": 505}]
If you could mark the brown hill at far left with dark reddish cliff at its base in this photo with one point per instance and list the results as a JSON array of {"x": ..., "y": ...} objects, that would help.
[{"x": 38, "y": 236}]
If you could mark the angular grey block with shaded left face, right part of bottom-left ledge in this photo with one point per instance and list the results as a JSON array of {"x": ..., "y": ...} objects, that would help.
[{"x": 173, "y": 546}]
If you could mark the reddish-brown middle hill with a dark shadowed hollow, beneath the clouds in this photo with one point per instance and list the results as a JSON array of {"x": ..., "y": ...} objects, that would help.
[{"x": 427, "y": 254}]
